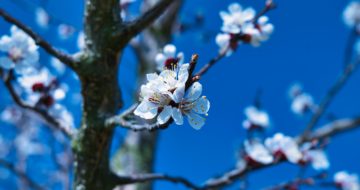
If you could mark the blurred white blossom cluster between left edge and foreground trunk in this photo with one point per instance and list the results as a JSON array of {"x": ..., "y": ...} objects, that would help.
[{"x": 19, "y": 53}]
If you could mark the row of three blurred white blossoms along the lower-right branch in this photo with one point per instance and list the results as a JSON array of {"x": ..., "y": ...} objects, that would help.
[{"x": 281, "y": 147}]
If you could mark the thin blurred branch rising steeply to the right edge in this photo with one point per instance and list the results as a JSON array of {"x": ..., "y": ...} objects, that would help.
[{"x": 334, "y": 90}]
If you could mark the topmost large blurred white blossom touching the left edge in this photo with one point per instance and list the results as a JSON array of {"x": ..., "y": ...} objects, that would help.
[{"x": 21, "y": 52}]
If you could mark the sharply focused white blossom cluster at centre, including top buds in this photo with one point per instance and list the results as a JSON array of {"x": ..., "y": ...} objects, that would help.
[{"x": 166, "y": 96}]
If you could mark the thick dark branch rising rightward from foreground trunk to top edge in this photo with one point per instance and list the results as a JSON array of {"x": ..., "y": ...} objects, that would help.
[{"x": 133, "y": 28}]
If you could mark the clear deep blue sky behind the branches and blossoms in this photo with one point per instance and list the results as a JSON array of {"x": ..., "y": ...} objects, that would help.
[{"x": 307, "y": 46}]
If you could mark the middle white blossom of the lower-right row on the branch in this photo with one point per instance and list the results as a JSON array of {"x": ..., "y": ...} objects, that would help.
[{"x": 281, "y": 145}]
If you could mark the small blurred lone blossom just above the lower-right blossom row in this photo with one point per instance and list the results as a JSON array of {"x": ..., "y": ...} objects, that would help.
[{"x": 256, "y": 118}]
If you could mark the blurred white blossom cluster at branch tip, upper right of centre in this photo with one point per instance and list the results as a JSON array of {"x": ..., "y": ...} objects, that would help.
[{"x": 242, "y": 26}]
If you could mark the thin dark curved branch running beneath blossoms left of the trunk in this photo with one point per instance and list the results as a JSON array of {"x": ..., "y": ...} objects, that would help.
[{"x": 43, "y": 114}]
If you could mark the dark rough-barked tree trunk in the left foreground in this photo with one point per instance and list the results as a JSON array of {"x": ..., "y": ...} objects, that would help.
[{"x": 98, "y": 74}]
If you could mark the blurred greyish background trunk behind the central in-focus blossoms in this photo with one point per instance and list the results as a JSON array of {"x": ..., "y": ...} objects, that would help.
[{"x": 137, "y": 154}]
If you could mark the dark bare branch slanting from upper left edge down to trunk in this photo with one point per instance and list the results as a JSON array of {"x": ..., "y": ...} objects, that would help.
[{"x": 63, "y": 57}]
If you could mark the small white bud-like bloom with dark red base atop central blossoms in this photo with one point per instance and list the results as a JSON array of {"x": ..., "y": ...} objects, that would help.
[{"x": 168, "y": 58}]
